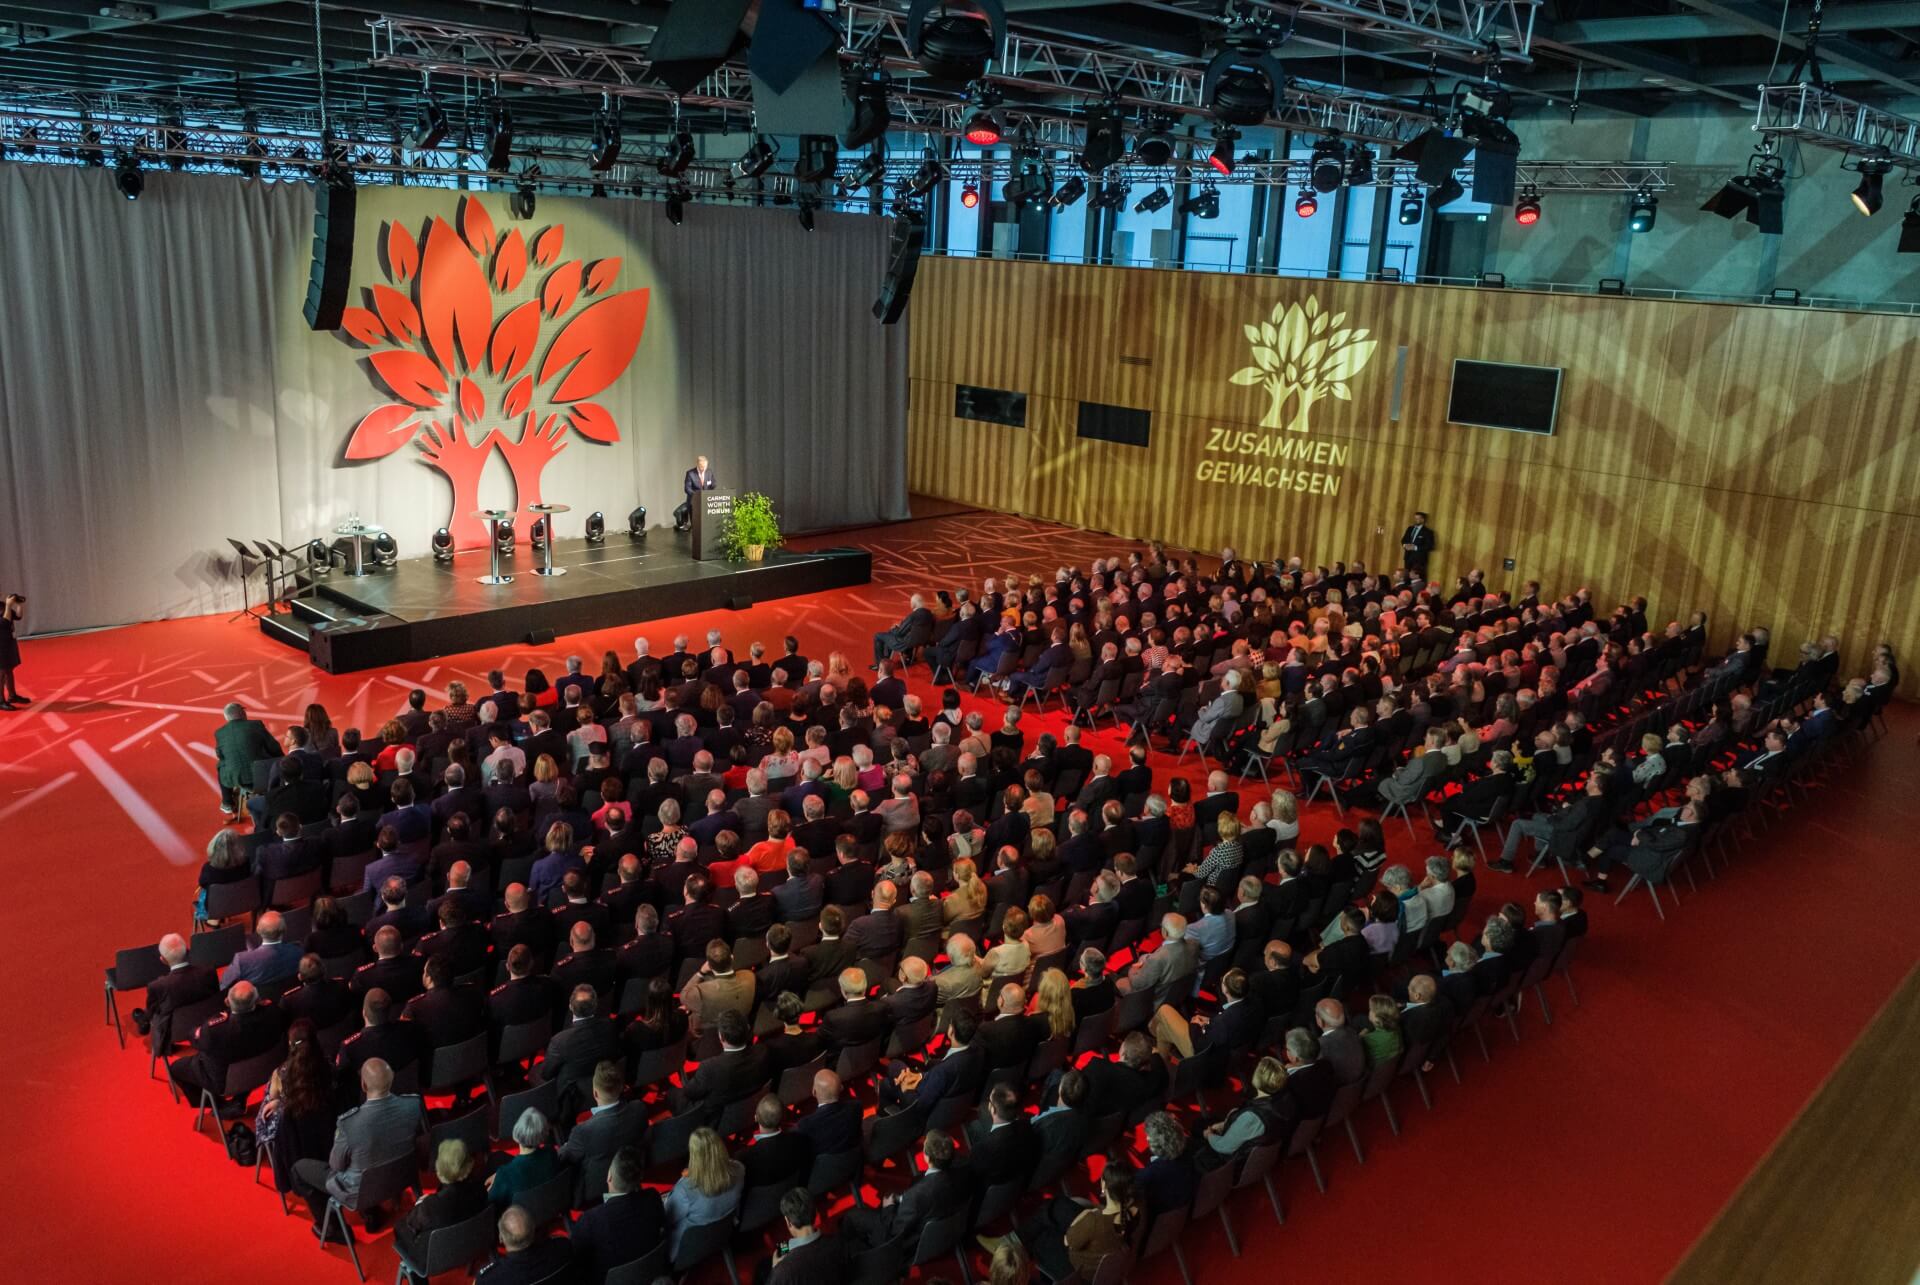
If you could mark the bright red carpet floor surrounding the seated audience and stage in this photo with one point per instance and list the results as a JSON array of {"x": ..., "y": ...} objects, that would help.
[{"x": 1595, "y": 1152}]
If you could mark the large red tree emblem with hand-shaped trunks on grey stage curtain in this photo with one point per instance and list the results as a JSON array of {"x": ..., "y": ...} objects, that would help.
[{"x": 458, "y": 354}]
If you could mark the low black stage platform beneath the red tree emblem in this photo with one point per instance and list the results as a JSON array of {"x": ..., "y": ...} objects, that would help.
[{"x": 420, "y": 610}]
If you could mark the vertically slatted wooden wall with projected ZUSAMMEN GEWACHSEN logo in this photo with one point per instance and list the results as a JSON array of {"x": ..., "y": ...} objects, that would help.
[{"x": 1752, "y": 462}]
